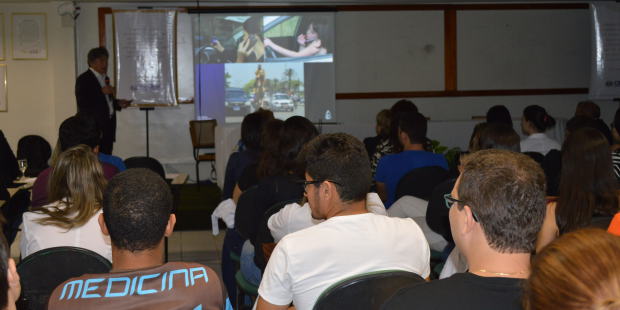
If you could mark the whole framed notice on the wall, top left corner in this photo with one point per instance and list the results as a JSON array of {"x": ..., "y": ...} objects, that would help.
[{"x": 29, "y": 35}]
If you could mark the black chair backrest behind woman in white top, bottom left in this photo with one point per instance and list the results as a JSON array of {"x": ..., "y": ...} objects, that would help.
[{"x": 41, "y": 272}]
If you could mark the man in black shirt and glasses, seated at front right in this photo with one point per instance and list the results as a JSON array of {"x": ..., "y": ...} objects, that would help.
[{"x": 497, "y": 207}]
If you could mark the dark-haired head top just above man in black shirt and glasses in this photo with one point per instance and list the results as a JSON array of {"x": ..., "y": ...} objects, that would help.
[{"x": 499, "y": 136}]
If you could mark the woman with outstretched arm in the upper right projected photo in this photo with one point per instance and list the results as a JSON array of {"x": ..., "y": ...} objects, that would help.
[{"x": 313, "y": 42}]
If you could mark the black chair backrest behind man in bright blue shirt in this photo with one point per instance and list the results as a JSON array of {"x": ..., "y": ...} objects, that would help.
[{"x": 420, "y": 182}]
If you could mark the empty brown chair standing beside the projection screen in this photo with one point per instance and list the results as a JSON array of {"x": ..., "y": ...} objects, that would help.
[{"x": 203, "y": 137}]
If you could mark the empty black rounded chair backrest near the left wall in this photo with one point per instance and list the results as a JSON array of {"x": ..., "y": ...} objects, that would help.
[{"x": 37, "y": 151}]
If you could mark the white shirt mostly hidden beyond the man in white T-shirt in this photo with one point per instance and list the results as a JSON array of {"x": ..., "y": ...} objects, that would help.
[{"x": 294, "y": 217}]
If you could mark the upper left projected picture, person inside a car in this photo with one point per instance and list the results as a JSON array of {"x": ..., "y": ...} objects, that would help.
[{"x": 227, "y": 39}]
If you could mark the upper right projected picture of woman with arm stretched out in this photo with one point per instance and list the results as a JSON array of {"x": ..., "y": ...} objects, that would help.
[{"x": 301, "y": 38}]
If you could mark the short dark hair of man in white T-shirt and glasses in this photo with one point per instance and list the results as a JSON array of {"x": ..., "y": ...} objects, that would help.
[{"x": 341, "y": 158}]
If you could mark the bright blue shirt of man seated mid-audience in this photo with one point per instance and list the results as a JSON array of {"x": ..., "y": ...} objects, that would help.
[{"x": 393, "y": 167}]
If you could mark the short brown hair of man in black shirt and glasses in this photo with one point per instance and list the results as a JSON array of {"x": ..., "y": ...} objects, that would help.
[{"x": 506, "y": 191}]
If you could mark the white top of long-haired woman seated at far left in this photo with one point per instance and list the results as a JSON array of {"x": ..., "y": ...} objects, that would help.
[{"x": 36, "y": 237}]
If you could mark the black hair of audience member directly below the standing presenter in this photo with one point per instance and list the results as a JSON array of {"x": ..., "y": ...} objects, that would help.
[{"x": 78, "y": 129}]
